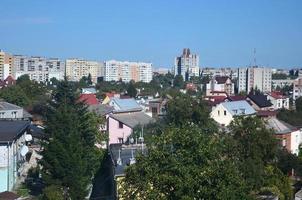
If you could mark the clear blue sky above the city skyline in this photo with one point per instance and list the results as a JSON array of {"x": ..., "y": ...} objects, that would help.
[{"x": 222, "y": 32}]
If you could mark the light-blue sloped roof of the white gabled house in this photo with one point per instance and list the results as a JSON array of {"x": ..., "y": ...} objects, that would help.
[{"x": 236, "y": 108}]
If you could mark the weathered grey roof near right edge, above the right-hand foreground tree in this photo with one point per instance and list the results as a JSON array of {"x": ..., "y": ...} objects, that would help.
[{"x": 279, "y": 126}]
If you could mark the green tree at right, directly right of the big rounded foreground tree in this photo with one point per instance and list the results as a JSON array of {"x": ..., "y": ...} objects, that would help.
[{"x": 256, "y": 150}]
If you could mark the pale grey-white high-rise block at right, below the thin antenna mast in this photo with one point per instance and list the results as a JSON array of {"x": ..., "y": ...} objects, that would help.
[{"x": 254, "y": 78}]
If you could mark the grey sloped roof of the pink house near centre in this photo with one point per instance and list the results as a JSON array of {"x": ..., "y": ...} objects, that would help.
[{"x": 133, "y": 119}]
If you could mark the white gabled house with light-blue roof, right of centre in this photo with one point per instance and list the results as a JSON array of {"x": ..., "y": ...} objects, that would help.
[{"x": 225, "y": 112}]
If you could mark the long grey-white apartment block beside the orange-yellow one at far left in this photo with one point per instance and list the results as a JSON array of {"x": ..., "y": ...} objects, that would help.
[{"x": 38, "y": 68}]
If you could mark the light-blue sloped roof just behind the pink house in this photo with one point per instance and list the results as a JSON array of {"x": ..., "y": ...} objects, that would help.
[{"x": 125, "y": 105}]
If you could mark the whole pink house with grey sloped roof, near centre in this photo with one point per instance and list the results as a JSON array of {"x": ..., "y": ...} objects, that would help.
[{"x": 121, "y": 125}]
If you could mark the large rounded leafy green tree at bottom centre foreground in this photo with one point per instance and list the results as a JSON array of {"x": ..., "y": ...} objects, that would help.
[{"x": 184, "y": 163}]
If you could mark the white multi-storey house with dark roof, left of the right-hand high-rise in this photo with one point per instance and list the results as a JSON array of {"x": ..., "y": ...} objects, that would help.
[{"x": 220, "y": 84}]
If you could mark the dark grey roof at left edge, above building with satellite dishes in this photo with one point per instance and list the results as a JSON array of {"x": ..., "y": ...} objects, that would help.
[{"x": 10, "y": 130}]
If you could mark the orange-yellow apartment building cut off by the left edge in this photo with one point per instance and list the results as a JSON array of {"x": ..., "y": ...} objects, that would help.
[{"x": 6, "y": 65}]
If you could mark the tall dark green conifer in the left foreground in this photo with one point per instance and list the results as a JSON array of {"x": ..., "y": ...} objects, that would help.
[{"x": 70, "y": 158}]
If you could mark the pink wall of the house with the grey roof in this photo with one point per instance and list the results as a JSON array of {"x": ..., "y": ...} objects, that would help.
[{"x": 115, "y": 132}]
